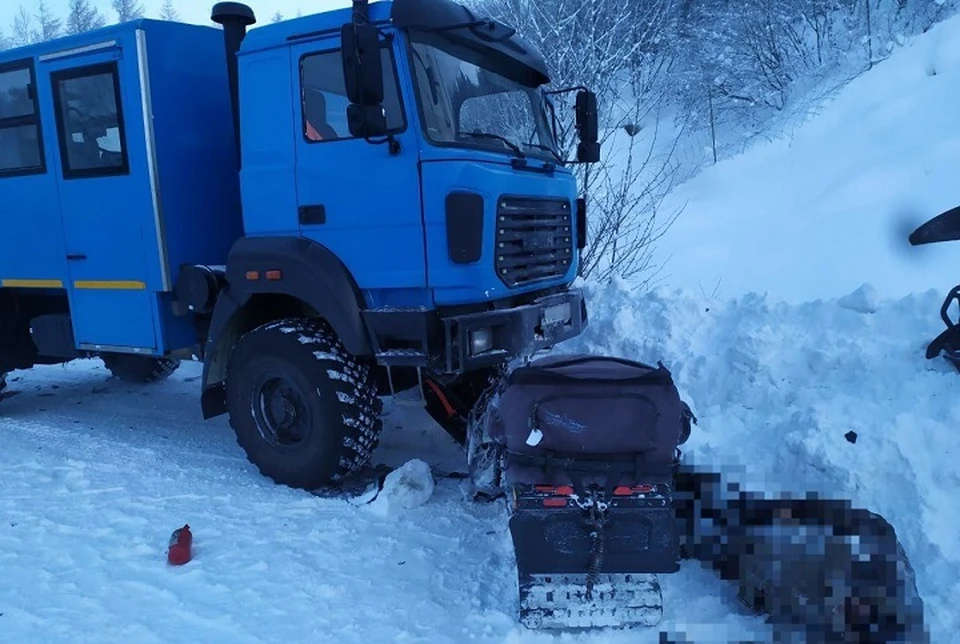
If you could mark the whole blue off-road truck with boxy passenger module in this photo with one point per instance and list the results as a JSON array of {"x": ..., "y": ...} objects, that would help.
[{"x": 326, "y": 211}]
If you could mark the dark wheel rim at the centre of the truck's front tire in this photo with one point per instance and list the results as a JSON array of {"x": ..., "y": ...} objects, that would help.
[{"x": 281, "y": 412}]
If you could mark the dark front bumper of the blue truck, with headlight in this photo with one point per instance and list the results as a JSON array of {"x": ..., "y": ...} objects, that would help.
[{"x": 514, "y": 331}]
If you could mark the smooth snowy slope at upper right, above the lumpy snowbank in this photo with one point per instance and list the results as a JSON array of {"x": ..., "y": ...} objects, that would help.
[{"x": 820, "y": 212}]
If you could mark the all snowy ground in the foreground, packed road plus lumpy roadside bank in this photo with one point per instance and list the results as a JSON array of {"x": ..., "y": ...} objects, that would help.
[{"x": 96, "y": 475}]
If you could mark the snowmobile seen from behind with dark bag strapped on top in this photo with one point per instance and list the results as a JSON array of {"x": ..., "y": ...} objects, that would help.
[{"x": 584, "y": 447}]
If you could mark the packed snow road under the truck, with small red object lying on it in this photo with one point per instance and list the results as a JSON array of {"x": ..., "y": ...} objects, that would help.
[{"x": 96, "y": 474}]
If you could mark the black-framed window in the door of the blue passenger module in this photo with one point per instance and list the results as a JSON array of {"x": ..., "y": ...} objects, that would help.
[{"x": 90, "y": 122}]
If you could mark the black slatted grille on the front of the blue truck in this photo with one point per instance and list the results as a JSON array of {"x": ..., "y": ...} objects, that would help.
[{"x": 534, "y": 239}]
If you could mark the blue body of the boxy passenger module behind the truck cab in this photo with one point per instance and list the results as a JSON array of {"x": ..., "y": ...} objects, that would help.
[{"x": 114, "y": 241}]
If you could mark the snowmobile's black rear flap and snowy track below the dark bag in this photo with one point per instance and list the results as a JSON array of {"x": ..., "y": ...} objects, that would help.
[{"x": 574, "y": 573}]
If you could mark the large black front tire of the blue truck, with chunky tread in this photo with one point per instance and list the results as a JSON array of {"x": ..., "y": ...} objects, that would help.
[{"x": 333, "y": 398}]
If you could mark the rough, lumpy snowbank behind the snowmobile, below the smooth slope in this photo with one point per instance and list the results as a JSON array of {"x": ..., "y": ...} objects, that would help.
[{"x": 779, "y": 387}]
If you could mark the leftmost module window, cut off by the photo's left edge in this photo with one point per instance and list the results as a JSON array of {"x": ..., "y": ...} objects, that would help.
[{"x": 21, "y": 145}]
